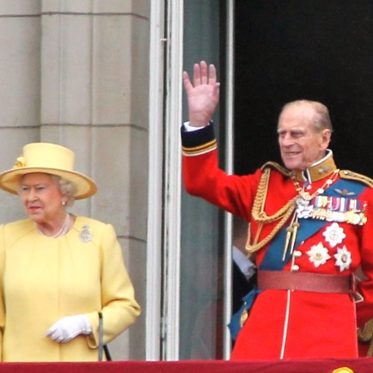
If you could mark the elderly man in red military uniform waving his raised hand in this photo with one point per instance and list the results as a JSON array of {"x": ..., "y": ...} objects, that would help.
[{"x": 311, "y": 230}]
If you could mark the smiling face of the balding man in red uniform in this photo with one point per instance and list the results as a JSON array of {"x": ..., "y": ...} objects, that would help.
[{"x": 301, "y": 144}]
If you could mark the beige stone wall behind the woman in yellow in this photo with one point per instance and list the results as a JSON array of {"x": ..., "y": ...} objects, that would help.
[{"x": 75, "y": 72}]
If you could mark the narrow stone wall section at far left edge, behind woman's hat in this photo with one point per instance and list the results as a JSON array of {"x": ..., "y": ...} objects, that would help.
[{"x": 19, "y": 87}]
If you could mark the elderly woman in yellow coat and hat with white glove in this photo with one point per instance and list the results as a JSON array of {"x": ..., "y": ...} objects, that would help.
[{"x": 58, "y": 271}]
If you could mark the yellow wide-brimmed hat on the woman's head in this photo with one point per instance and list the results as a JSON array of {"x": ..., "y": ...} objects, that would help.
[{"x": 51, "y": 159}]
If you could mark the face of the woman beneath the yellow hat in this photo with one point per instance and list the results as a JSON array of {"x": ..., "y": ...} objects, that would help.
[{"x": 41, "y": 197}]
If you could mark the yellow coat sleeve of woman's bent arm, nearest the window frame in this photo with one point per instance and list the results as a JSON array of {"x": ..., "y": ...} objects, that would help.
[{"x": 119, "y": 306}]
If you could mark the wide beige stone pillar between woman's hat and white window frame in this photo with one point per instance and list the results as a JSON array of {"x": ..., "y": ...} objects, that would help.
[{"x": 94, "y": 99}]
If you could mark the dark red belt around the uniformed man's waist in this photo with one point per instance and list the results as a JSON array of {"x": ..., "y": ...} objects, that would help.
[{"x": 305, "y": 281}]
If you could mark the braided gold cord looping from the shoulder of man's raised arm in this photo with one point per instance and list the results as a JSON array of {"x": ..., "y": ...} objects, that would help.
[{"x": 260, "y": 216}]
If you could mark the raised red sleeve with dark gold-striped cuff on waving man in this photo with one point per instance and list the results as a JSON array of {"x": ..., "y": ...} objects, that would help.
[{"x": 204, "y": 178}]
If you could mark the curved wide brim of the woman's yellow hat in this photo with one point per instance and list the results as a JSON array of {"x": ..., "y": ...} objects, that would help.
[{"x": 84, "y": 186}]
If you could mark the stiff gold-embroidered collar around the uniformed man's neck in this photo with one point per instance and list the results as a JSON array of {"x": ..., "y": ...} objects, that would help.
[{"x": 320, "y": 169}]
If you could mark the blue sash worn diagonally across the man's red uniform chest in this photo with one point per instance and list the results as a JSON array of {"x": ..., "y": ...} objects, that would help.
[{"x": 308, "y": 227}]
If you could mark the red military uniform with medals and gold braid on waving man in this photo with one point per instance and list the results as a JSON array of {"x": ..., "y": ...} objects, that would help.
[{"x": 332, "y": 214}]
